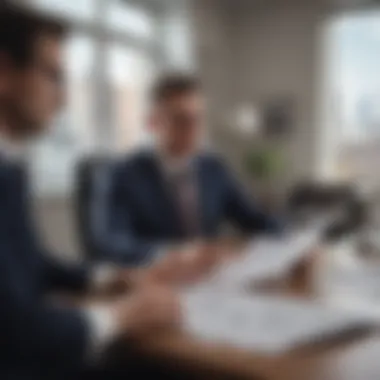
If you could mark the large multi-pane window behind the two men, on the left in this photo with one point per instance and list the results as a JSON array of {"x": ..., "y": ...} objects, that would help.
[{"x": 116, "y": 49}]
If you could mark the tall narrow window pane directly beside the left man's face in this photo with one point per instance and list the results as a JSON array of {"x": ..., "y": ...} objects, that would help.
[{"x": 72, "y": 134}]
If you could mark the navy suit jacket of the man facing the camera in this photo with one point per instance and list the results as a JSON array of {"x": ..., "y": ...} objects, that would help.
[{"x": 134, "y": 214}]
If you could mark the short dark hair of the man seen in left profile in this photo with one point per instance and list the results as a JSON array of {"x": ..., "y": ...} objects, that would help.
[{"x": 19, "y": 29}]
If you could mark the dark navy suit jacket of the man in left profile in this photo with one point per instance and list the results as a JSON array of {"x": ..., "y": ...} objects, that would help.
[{"x": 37, "y": 339}]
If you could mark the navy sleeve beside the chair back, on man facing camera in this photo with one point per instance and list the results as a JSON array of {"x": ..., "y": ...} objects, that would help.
[{"x": 112, "y": 226}]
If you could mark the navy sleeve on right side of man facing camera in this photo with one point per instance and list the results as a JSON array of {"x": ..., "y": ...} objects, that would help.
[{"x": 244, "y": 212}]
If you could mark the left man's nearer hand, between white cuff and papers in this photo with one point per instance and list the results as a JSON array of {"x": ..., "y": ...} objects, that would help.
[{"x": 148, "y": 307}]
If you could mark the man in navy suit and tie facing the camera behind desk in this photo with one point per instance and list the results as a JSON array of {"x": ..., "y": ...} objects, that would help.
[{"x": 175, "y": 191}]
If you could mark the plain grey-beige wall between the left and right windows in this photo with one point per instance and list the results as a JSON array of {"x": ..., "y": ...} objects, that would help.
[{"x": 265, "y": 49}]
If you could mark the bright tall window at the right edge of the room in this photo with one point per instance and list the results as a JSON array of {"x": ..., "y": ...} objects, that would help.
[{"x": 351, "y": 97}]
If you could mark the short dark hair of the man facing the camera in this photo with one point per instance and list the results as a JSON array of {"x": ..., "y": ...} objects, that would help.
[{"x": 174, "y": 84}]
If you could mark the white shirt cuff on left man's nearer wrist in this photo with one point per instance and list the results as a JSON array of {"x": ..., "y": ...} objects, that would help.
[{"x": 103, "y": 330}]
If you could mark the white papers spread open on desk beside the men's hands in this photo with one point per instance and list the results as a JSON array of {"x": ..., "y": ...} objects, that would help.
[{"x": 220, "y": 311}]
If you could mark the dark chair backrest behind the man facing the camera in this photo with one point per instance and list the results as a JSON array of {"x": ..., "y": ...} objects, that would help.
[{"x": 87, "y": 175}]
